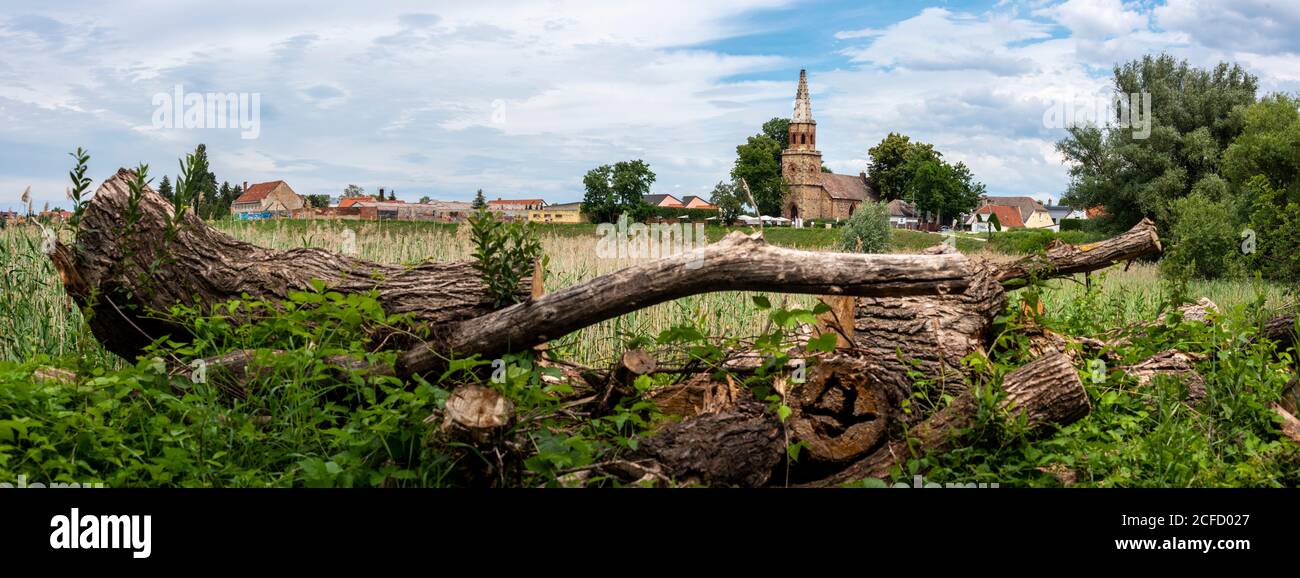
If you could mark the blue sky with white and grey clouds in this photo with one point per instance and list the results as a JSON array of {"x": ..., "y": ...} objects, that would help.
[{"x": 522, "y": 99}]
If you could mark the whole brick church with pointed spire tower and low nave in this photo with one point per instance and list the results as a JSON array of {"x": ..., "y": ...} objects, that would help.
[{"x": 814, "y": 194}]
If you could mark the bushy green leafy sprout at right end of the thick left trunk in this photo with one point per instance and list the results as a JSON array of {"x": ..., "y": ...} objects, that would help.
[{"x": 504, "y": 255}]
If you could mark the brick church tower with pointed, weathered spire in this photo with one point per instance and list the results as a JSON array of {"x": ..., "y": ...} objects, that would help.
[{"x": 801, "y": 162}]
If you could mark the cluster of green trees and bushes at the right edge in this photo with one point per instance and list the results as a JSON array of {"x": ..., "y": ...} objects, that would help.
[{"x": 1219, "y": 172}]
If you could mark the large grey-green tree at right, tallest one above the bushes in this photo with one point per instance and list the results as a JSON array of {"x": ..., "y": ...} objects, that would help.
[{"x": 1142, "y": 173}]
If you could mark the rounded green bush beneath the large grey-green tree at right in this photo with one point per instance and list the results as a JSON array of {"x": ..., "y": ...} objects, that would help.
[{"x": 1203, "y": 241}]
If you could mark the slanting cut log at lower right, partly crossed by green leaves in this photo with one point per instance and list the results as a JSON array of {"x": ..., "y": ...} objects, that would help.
[{"x": 1047, "y": 393}]
